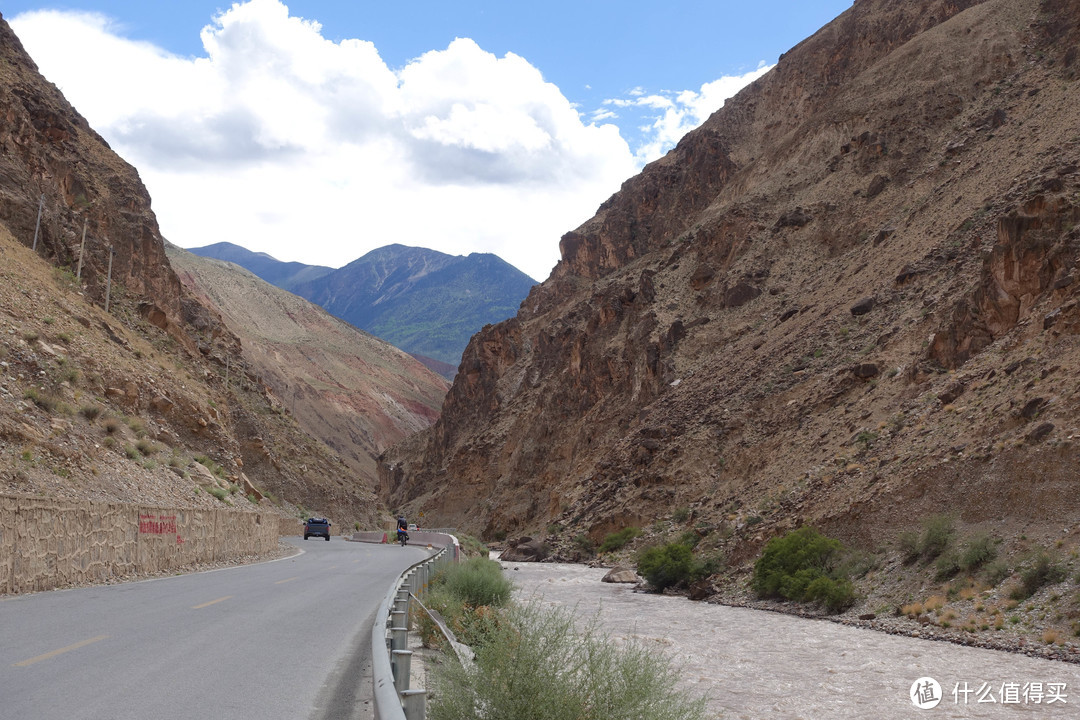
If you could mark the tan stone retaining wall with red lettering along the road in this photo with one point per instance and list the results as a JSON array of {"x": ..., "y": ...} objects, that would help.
[{"x": 53, "y": 544}]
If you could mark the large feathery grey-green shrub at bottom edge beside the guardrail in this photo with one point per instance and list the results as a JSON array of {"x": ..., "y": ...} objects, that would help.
[{"x": 537, "y": 665}]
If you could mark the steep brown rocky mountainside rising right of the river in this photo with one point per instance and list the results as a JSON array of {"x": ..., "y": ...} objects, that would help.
[{"x": 845, "y": 286}]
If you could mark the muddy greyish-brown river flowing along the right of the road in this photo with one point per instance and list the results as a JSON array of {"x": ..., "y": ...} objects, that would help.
[{"x": 753, "y": 664}]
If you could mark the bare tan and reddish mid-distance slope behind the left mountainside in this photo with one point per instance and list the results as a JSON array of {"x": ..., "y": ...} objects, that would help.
[{"x": 357, "y": 393}]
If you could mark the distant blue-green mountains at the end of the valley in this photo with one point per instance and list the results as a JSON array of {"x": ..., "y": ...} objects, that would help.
[{"x": 426, "y": 303}]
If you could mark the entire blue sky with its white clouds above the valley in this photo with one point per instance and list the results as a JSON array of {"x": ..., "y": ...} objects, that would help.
[{"x": 464, "y": 127}]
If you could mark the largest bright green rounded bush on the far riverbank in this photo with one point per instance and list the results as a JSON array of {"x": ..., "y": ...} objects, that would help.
[{"x": 802, "y": 567}]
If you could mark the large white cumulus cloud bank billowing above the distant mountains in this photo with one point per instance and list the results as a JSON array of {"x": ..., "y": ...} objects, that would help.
[{"x": 287, "y": 143}]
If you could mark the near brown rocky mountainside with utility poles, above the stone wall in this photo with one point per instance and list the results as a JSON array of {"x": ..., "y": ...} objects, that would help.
[{"x": 117, "y": 383}]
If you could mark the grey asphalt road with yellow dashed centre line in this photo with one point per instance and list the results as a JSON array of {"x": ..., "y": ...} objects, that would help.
[{"x": 282, "y": 640}]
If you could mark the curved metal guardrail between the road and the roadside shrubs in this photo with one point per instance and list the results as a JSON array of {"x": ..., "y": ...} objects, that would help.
[{"x": 391, "y": 659}]
